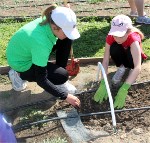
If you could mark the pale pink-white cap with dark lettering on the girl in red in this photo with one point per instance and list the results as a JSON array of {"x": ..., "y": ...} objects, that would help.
[{"x": 119, "y": 25}]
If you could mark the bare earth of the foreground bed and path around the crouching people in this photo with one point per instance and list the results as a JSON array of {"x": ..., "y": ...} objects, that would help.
[{"x": 132, "y": 126}]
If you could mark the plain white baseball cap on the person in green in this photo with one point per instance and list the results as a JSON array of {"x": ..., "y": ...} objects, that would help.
[{"x": 65, "y": 18}]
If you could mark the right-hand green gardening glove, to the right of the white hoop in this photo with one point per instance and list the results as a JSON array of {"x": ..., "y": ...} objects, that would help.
[{"x": 121, "y": 96}]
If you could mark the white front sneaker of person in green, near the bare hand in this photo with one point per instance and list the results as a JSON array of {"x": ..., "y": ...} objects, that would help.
[{"x": 68, "y": 87}]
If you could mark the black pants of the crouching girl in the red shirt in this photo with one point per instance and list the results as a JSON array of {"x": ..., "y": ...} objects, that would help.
[{"x": 121, "y": 56}]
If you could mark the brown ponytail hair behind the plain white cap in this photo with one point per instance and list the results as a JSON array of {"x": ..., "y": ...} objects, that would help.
[{"x": 47, "y": 14}]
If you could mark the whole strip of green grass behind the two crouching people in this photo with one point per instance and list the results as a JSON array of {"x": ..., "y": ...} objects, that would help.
[{"x": 90, "y": 44}]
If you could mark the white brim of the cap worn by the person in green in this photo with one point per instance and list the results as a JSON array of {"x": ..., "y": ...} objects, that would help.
[{"x": 74, "y": 34}]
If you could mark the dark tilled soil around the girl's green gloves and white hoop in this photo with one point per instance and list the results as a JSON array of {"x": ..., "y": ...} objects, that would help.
[{"x": 125, "y": 120}]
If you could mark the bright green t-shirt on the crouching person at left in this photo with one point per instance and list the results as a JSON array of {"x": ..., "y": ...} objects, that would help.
[{"x": 31, "y": 44}]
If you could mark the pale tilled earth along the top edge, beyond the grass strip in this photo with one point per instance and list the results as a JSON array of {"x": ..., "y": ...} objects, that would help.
[{"x": 34, "y": 8}]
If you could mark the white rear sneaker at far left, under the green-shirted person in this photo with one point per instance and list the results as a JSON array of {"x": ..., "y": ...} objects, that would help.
[{"x": 17, "y": 83}]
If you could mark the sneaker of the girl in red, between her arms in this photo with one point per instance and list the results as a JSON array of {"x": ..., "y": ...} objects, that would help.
[{"x": 118, "y": 75}]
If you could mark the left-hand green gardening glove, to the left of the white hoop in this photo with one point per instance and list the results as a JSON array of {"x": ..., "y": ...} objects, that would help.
[{"x": 101, "y": 93}]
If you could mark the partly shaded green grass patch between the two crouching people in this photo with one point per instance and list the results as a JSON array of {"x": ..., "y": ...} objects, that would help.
[{"x": 92, "y": 39}]
